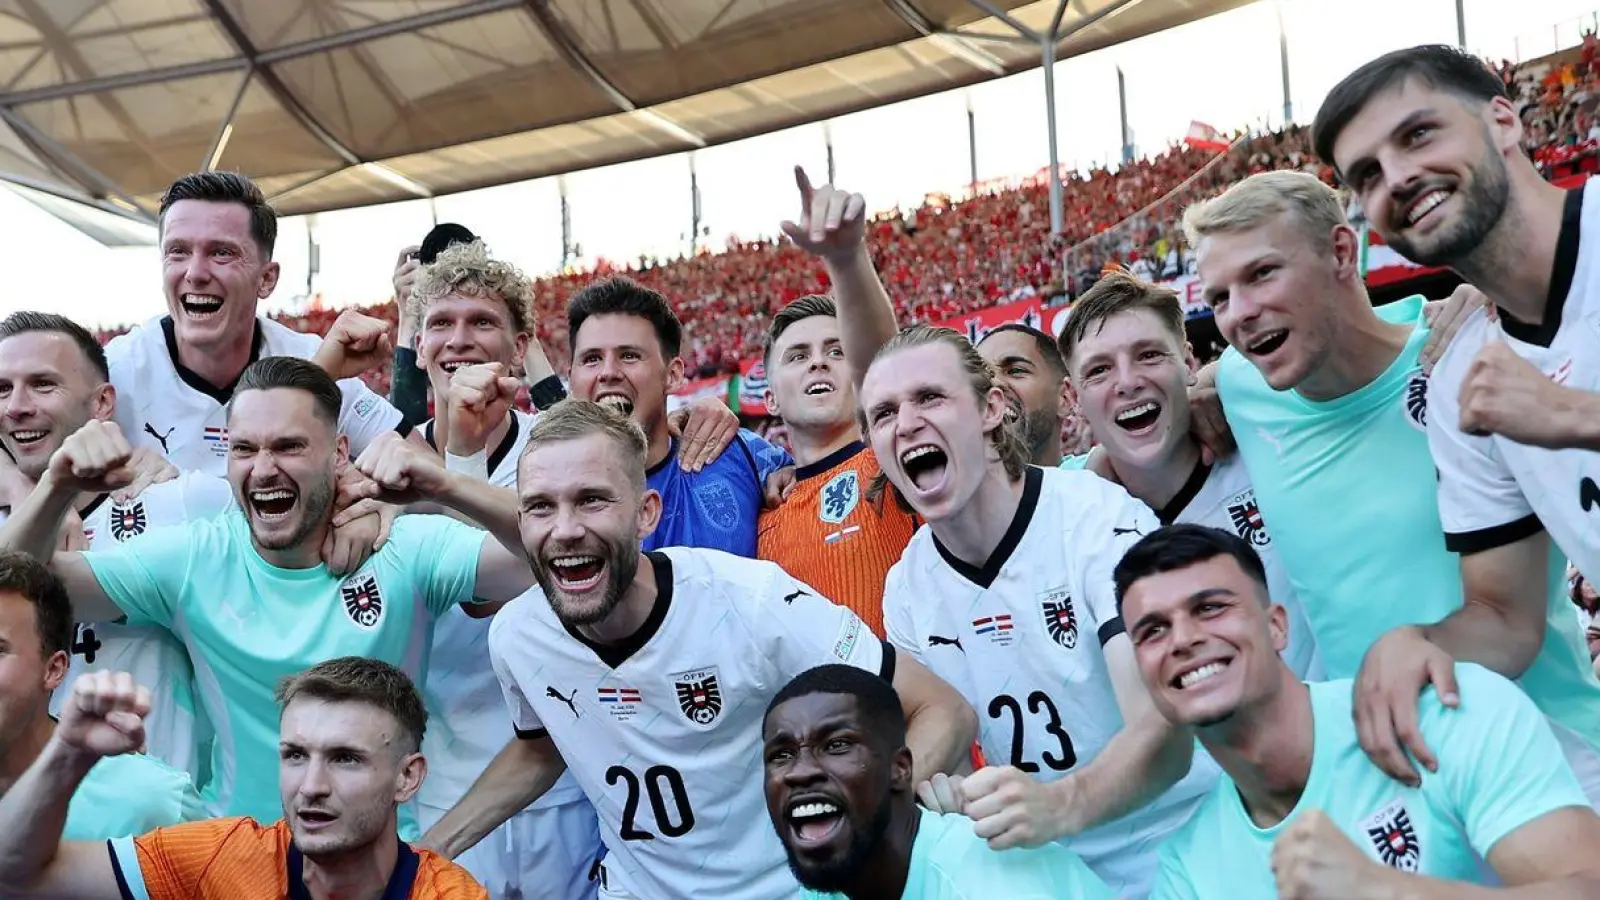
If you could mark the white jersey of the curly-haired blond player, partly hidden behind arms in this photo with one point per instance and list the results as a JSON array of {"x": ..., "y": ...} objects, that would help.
[{"x": 466, "y": 713}]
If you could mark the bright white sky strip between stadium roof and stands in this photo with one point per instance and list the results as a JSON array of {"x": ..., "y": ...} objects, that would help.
[{"x": 1223, "y": 71}]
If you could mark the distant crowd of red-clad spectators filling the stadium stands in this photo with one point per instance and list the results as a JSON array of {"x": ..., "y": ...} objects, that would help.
[{"x": 950, "y": 257}]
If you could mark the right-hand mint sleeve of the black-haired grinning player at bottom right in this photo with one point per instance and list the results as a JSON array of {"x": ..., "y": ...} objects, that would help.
[{"x": 1500, "y": 765}]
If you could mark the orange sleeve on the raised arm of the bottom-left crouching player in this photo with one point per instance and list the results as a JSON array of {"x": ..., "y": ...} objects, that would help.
[{"x": 174, "y": 861}]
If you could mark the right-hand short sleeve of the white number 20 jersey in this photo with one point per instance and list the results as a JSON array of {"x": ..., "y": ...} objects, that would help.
[{"x": 801, "y": 629}]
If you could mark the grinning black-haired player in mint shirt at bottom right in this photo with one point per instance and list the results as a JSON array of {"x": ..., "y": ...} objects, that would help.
[{"x": 1303, "y": 813}]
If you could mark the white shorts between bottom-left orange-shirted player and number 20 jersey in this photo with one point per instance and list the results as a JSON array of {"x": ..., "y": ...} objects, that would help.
[{"x": 543, "y": 853}]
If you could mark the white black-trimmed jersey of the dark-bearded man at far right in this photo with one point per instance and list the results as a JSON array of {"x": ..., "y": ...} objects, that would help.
[{"x": 1494, "y": 491}]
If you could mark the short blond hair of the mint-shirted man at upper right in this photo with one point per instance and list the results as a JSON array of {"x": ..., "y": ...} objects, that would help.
[{"x": 1265, "y": 198}]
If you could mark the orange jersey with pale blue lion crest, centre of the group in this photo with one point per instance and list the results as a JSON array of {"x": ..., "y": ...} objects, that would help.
[{"x": 830, "y": 536}]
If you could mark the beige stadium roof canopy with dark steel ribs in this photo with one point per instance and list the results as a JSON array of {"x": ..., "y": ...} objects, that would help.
[{"x": 342, "y": 103}]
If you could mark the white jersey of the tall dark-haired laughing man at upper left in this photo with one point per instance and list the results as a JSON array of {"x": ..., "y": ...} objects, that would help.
[{"x": 164, "y": 406}]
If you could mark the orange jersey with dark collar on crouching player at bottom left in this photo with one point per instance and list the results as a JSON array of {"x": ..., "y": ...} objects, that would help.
[{"x": 239, "y": 859}]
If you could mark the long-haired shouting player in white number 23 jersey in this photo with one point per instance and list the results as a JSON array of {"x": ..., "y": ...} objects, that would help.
[{"x": 1007, "y": 595}]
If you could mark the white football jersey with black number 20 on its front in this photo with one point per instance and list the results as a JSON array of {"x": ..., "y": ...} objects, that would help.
[{"x": 665, "y": 731}]
